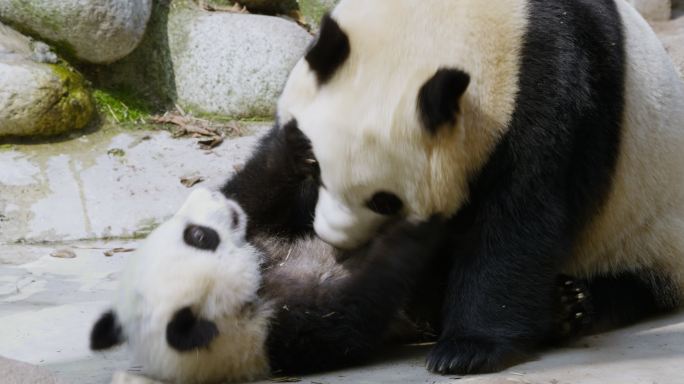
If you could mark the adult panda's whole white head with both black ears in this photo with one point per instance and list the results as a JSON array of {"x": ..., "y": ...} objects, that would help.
[{"x": 379, "y": 105}]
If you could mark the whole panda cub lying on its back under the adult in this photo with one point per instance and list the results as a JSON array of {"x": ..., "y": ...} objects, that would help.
[{"x": 213, "y": 295}]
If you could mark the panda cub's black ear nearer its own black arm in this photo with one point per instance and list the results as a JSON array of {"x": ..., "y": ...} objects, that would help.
[{"x": 187, "y": 332}]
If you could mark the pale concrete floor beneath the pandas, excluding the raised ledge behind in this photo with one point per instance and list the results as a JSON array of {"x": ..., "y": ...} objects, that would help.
[{"x": 49, "y": 305}]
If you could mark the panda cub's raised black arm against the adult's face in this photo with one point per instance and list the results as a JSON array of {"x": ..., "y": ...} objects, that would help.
[{"x": 278, "y": 186}]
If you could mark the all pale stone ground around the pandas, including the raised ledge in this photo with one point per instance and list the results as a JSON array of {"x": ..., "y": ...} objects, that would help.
[{"x": 104, "y": 190}]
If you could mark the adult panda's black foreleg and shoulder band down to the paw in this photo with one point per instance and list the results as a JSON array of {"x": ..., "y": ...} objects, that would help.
[{"x": 547, "y": 177}]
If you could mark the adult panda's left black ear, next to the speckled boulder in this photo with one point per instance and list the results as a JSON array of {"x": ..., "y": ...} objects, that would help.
[{"x": 330, "y": 50}]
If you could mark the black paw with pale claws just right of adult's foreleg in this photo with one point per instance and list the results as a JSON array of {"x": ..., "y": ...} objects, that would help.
[{"x": 574, "y": 314}]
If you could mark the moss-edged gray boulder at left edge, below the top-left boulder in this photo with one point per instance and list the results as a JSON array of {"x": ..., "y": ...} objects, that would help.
[{"x": 38, "y": 98}]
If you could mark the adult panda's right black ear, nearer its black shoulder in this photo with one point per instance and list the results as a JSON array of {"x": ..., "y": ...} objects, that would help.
[{"x": 439, "y": 97}]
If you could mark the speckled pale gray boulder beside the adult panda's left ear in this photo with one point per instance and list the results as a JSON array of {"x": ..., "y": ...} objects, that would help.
[{"x": 232, "y": 64}]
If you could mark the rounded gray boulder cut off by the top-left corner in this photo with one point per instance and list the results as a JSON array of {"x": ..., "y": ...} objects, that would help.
[{"x": 98, "y": 31}]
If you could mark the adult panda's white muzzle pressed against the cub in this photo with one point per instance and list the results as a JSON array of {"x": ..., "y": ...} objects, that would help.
[{"x": 341, "y": 226}]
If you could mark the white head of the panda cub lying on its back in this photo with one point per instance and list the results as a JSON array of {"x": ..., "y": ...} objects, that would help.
[{"x": 188, "y": 305}]
